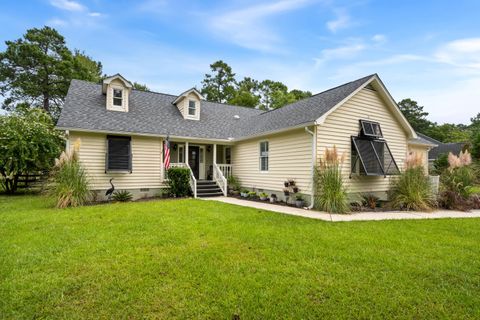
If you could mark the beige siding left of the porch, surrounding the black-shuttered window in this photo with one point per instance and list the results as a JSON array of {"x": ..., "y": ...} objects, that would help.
[{"x": 147, "y": 169}]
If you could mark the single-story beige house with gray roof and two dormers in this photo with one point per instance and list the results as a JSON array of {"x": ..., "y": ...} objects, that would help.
[{"x": 122, "y": 133}]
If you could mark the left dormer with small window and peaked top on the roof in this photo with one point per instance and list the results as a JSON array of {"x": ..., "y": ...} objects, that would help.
[{"x": 117, "y": 89}]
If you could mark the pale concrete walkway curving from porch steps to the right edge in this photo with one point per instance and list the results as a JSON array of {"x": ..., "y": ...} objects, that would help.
[{"x": 357, "y": 216}]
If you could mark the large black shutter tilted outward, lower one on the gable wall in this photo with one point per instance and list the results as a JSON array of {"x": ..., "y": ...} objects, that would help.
[{"x": 372, "y": 157}]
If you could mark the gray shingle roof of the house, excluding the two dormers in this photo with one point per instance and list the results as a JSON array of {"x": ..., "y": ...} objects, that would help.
[{"x": 154, "y": 113}]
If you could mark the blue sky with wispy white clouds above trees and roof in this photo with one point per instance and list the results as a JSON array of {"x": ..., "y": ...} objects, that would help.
[{"x": 426, "y": 50}]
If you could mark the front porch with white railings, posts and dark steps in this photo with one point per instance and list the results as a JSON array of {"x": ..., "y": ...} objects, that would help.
[{"x": 209, "y": 165}]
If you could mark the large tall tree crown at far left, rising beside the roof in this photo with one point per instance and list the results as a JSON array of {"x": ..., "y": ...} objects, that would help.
[{"x": 38, "y": 68}]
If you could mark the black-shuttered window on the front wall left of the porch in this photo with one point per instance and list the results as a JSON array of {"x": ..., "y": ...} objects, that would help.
[{"x": 119, "y": 154}]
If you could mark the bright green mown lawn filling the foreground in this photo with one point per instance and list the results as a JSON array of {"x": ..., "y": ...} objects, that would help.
[{"x": 198, "y": 259}]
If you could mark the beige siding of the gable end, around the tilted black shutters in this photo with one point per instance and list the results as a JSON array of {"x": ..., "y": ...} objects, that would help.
[{"x": 341, "y": 124}]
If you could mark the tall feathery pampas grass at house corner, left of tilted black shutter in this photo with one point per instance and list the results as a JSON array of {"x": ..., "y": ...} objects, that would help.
[{"x": 330, "y": 192}]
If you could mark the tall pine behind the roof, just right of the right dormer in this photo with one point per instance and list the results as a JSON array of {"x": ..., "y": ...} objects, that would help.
[{"x": 220, "y": 86}]
